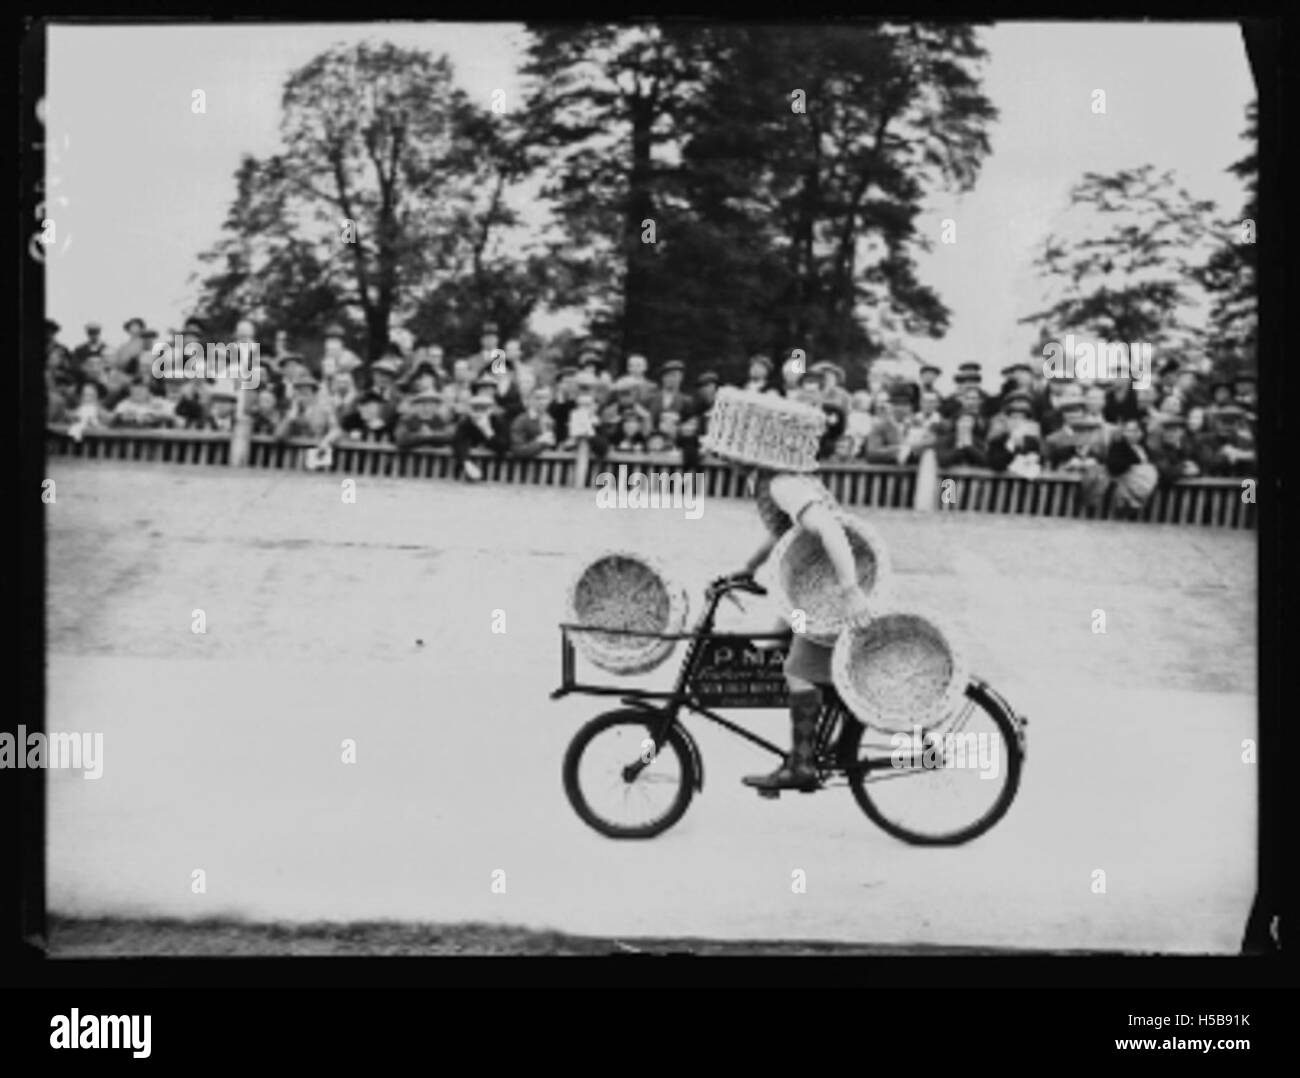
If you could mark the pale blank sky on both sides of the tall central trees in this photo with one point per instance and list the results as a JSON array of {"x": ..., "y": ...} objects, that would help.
[{"x": 149, "y": 183}]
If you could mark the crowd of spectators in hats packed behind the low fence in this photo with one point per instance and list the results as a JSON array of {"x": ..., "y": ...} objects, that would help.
[{"x": 508, "y": 402}]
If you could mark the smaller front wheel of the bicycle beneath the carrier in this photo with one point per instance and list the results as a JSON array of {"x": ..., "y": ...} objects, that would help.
[{"x": 619, "y": 786}]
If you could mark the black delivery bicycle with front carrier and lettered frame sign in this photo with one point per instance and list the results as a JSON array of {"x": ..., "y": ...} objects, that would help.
[{"x": 651, "y": 747}]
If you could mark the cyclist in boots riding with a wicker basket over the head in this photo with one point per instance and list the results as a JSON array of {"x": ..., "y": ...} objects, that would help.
[{"x": 773, "y": 449}]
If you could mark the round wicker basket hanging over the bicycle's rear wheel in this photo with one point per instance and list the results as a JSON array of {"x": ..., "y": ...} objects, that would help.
[{"x": 899, "y": 672}]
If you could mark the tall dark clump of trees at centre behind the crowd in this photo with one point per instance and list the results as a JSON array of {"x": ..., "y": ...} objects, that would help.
[{"x": 774, "y": 227}]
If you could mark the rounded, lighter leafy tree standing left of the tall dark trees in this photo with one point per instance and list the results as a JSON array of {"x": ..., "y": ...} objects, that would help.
[{"x": 391, "y": 181}]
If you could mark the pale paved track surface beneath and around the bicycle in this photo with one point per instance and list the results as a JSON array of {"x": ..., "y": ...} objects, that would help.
[{"x": 222, "y": 751}]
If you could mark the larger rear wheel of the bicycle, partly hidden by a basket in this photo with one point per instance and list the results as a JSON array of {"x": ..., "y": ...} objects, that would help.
[{"x": 946, "y": 785}]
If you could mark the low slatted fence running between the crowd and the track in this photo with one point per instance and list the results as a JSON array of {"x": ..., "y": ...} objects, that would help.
[{"x": 1215, "y": 503}]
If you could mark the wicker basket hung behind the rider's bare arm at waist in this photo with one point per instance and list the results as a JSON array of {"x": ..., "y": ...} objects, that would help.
[{"x": 805, "y": 579}]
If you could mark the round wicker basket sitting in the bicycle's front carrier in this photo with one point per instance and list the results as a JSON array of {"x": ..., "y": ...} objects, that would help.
[{"x": 623, "y": 591}]
